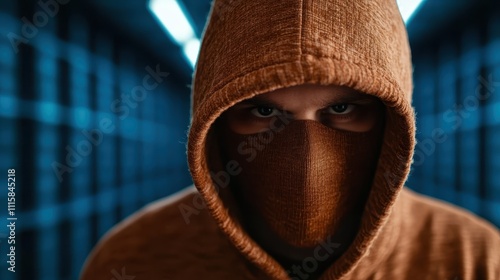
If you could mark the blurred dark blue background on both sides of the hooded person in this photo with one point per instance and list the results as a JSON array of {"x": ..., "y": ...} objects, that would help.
[{"x": 90, "y": 146}]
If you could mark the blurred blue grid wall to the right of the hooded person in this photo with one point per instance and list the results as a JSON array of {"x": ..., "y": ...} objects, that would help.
[{"x": 457, "y": 100}]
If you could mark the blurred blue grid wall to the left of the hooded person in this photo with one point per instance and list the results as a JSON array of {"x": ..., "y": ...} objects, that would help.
[{"x": 85, "y": 157}]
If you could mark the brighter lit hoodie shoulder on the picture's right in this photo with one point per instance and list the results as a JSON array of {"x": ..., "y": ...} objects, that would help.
[{"x": 448, "y": 237}]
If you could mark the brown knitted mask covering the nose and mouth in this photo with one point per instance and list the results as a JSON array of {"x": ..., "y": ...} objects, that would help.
[{"x": 300, "y": 182}]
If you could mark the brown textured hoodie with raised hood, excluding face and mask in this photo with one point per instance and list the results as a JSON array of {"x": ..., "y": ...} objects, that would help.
[{"x": 253, "y": 47}]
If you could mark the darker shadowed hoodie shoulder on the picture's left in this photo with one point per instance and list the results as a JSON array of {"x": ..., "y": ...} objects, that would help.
[{"x": 164, "y": 236}]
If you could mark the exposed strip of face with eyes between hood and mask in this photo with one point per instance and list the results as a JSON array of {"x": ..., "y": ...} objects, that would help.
[{"x": 339, "y": 108}]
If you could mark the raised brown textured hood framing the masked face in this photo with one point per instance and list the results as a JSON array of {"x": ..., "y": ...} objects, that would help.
[{"x": 253, "y": 47}]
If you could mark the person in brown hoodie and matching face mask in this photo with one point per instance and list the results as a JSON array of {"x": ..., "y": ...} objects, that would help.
[{"x": 301, "y": 140}]
